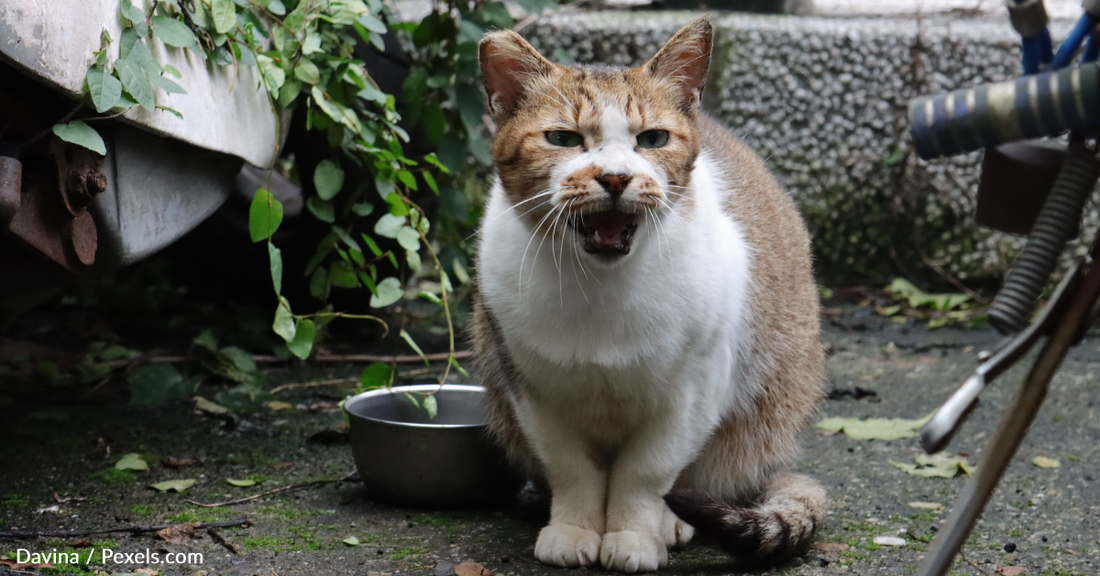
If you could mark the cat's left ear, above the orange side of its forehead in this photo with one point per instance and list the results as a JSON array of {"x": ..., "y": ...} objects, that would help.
[{"x": 509, "y": 63}]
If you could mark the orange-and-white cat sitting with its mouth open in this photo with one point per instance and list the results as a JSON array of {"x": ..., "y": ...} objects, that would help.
[{"x": 646, "y": 324}]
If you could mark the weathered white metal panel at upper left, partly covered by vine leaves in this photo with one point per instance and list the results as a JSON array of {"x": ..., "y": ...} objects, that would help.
[{"x": 54, "y": 40}]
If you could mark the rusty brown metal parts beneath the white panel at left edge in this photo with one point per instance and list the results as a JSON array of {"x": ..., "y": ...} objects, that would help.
[{"x": 52, "y": 213}]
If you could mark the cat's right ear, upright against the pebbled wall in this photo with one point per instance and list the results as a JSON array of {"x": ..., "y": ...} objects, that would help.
[{"x": 685, "y": 60}]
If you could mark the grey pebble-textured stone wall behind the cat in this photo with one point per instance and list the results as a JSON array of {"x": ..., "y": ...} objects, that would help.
[{"x": 824, "y": 101}]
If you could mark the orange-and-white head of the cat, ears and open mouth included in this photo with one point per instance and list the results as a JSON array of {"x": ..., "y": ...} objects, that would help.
[{"x": 597, "y": 154}]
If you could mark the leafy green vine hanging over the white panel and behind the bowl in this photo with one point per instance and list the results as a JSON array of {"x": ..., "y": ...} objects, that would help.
[{"x": 304, "y": 52}]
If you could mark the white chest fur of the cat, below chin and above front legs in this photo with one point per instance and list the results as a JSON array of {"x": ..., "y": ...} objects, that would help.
[{"x": 681, "y": 297}]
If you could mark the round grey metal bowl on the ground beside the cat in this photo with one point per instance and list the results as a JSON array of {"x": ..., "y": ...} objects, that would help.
[{"x": 405, "y": 458}]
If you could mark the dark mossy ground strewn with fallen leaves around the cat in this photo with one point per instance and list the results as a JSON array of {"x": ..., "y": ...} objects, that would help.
[{"x": 65, "y": 441}]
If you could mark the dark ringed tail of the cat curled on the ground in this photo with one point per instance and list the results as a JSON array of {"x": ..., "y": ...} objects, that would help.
[{"x": 783, "y": 525}]
